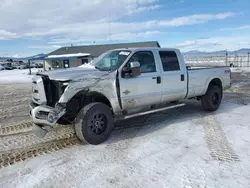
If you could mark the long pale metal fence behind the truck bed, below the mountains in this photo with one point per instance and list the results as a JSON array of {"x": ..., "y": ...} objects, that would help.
[{"x": 226, "y": 60}]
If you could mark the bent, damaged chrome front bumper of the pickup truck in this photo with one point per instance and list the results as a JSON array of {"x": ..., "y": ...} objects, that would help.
[{"x": 44, "y": 117}]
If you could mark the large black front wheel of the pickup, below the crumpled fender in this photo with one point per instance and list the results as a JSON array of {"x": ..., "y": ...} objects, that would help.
[{"x": 86, "y": 126}]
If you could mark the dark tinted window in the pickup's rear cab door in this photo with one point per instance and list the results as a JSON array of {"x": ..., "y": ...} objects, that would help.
[{"x": 169, "y": 61}]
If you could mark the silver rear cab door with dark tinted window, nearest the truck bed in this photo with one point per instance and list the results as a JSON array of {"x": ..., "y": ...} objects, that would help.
[{"x": 174, "y": 81}]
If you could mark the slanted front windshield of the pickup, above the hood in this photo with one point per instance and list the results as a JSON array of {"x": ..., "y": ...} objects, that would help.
[{"x": 111, "y": 60}]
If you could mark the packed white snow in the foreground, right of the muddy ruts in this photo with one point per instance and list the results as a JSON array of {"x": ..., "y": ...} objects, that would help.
[{"x": 189, "y": 148}]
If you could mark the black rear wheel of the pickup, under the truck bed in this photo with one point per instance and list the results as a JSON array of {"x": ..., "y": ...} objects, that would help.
[{"x": 212, "y": 99}]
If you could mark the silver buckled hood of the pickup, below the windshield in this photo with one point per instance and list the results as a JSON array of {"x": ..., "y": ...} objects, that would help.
[{"x": 74, "y": 74}]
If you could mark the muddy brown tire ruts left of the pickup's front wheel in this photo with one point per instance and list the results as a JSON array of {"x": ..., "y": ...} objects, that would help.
[{"x": 17, "y": 143}]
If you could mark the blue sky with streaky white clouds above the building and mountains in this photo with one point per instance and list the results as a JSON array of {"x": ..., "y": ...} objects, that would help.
[{"x": 29, "y": 27}]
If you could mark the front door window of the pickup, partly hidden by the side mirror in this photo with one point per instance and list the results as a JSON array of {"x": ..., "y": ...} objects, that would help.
[{"x": 146, "y": 60}]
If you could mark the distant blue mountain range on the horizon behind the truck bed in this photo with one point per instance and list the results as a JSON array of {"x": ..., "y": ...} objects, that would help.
[{"x": 221, "y": 52}]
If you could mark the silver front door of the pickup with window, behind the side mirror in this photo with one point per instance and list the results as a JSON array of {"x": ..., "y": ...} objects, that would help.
[{"x": 145, "y": 89}]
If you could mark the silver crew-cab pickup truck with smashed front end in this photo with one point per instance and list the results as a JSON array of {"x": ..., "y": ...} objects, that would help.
[{"x": 121, "y": 84}]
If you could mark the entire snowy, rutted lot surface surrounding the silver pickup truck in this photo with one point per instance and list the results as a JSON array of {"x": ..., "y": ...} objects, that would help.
[{"x": 184, "y": 147}]
